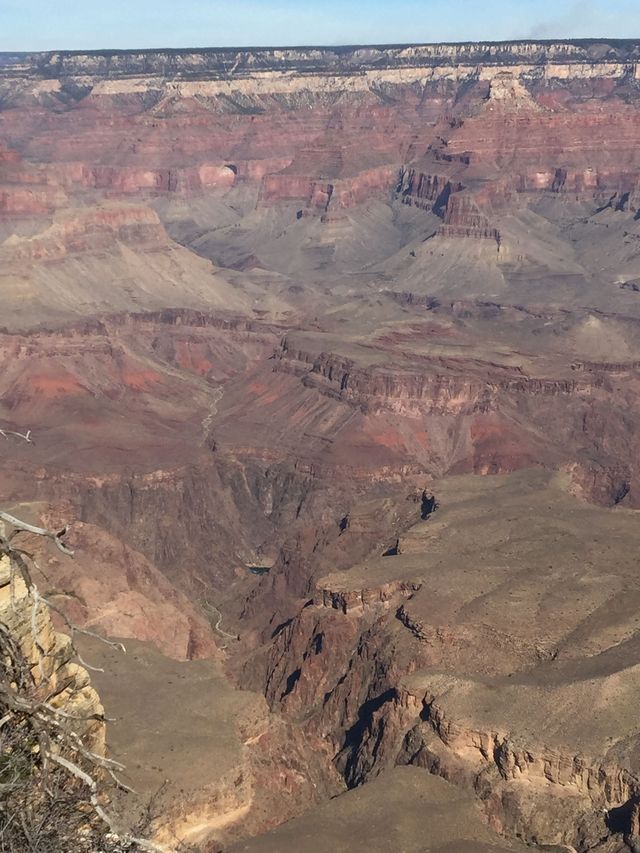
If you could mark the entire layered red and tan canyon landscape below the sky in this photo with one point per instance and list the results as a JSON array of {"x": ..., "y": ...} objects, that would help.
[{"x": 330, "y": 360}]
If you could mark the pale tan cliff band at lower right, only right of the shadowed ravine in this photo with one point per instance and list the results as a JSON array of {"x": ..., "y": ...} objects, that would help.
[{"x": 531, "y": 792}]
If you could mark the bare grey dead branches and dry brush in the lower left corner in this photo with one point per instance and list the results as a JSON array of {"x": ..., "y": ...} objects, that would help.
[{"x": 53, "y": 780}]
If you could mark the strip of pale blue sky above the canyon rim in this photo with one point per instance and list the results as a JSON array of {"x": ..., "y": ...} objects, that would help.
[{"x": 85, "y": 24}]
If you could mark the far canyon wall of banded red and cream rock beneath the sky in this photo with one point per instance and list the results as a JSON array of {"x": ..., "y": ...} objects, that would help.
[{"x": 526, "y": 93}]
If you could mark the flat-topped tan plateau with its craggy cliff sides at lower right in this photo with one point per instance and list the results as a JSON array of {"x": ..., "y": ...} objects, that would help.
[{"x": 421, "y": 658}]
